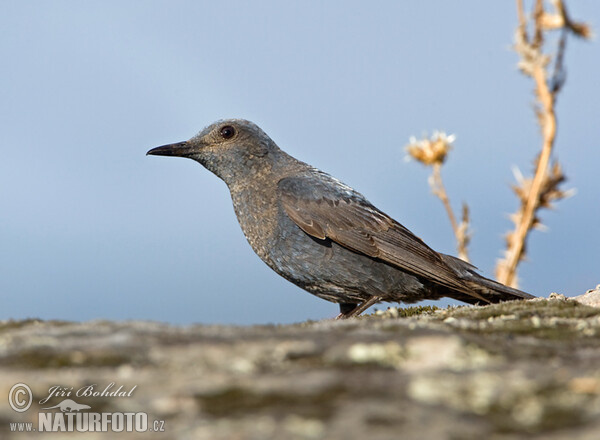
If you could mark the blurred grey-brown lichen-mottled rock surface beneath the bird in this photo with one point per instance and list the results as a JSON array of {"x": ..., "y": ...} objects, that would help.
[{"x": 509, "y": 371}]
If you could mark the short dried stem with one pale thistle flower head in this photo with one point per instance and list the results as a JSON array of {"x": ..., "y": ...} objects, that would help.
[{"x": 433, "y": 152}]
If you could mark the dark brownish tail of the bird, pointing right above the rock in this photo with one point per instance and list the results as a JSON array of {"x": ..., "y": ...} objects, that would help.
[{"x": 491, "y": 291}]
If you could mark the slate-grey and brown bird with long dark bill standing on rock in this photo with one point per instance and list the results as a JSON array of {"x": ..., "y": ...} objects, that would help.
[{"x": 321, "y": 234}]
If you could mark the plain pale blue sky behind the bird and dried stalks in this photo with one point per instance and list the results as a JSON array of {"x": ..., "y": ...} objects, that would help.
[{"x": 92, "y": 228}]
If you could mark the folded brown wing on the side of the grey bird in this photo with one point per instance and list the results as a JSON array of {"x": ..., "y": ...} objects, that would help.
[{"x": 329, "y": 209}]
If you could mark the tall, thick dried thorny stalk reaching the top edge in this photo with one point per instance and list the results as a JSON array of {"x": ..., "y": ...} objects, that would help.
[{"x": 543, "y": 188}]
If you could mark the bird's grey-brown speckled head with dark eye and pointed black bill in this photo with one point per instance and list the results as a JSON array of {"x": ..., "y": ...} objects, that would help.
[{"x": 233, "y": 149}]
